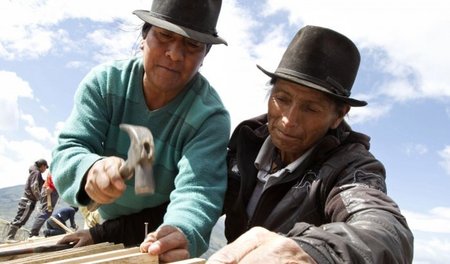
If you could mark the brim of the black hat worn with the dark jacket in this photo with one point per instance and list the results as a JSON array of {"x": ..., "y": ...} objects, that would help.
[{"x": 348, "y": 100}]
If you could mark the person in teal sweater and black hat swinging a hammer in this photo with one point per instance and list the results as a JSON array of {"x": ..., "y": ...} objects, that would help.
[{"x": 163, "y": 91}]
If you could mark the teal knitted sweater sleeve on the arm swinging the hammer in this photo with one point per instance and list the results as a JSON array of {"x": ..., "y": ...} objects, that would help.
[{"x": 80, "y": 140}]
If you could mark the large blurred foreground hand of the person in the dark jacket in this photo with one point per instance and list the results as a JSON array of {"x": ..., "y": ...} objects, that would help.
[{"x": 259, "y": 245}]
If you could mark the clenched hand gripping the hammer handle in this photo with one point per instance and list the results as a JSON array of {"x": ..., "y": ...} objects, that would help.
[{"x": 104, "y": 184}]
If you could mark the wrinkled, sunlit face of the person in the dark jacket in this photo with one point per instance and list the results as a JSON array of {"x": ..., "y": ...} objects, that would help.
[{"x": 299, "y": 117}]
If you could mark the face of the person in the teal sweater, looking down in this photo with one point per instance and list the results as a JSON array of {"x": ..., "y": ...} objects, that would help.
[{"x": 170, "y": 60}]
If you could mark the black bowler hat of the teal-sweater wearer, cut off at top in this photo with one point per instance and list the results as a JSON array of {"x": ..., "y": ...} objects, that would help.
[{"x": 194, "y": 19}]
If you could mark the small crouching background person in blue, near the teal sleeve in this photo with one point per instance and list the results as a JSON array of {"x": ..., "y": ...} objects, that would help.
[{"x": 62, "y": 215}]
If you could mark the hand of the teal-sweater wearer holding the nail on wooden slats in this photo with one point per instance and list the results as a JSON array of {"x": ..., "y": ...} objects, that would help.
[{"x": 168, "y": 242}]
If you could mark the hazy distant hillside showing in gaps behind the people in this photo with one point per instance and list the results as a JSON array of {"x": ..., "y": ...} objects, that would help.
[{"x": 10, "y": 196}]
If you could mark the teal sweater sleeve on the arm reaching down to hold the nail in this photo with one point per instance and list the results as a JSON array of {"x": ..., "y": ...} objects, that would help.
[{"x": 196, "y": 203}]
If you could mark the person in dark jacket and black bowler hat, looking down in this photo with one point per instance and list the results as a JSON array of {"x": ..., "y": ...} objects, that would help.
[{"x": 302, "y": 185}]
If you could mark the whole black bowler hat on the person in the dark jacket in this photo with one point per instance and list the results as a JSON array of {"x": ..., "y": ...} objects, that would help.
[{"x": 322, "y": 59}]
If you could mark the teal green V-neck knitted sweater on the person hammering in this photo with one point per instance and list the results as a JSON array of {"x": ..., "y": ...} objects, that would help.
[{"x": 190, "y": 134}]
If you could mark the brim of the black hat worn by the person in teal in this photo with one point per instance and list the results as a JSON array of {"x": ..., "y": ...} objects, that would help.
[{"x": 186, "y": 32}]
